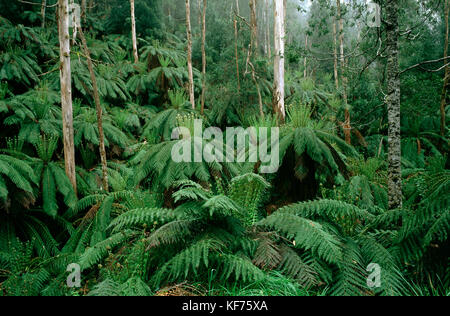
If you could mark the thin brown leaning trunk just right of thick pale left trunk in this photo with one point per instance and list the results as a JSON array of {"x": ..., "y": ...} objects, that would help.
[{"x": 98, "y": 106}]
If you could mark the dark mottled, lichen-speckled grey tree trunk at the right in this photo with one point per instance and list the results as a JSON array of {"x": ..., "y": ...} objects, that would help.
[{"x": 393, "y": 105}]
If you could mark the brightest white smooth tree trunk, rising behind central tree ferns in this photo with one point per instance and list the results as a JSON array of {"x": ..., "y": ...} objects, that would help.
[{"x": 279, "y": 34}]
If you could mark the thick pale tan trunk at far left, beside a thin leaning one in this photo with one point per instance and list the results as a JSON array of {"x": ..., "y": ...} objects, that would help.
[{"x": 66, "y": 91}]
